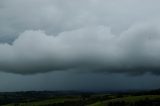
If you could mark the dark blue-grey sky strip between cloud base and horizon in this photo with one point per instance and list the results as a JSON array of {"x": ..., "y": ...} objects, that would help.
[{"x": 64, "y": 80}]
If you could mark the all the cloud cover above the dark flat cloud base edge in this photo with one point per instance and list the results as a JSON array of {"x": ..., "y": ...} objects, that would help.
[{"x": 94, "y": 35}]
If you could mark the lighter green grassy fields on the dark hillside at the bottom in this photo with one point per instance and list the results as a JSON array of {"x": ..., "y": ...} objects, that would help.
[{"x": 129, "y": 99}]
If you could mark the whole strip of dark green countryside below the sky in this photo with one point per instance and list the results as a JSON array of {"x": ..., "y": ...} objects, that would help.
[{"x": 80, "y": 99}]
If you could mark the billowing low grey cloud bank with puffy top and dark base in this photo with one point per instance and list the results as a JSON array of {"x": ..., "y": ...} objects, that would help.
[{"x": 91, "y": 48}]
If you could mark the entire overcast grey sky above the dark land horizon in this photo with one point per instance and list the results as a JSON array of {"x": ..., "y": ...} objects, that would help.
[{"x": 79, "y": 44}]
